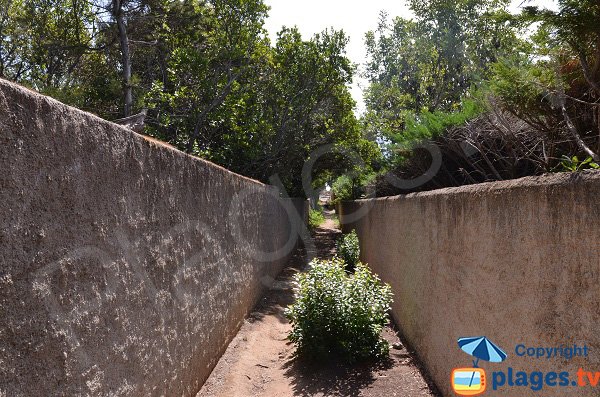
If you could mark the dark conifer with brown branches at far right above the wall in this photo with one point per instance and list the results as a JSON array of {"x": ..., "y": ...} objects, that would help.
[{"x": 554, "y": 85}]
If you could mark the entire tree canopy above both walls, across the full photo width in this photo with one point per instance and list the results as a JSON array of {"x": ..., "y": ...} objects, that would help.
[{"x": 215, "y": 86}]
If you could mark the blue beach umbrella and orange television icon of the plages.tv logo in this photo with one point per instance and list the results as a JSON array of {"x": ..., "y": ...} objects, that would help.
[{"x": 471, "y": 381}]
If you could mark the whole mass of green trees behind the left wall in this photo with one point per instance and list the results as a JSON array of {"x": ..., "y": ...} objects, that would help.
[{"x": 213, "y": 82}]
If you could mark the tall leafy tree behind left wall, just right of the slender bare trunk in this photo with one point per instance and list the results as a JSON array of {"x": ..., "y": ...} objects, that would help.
[{"x": 214, "y": 61}]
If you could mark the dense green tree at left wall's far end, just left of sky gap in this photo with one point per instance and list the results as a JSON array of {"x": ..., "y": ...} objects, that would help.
[{"x": 308, "y": 93}]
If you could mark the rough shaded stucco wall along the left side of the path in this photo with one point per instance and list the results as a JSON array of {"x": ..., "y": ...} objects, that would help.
[{"x": 125, "y": 266}]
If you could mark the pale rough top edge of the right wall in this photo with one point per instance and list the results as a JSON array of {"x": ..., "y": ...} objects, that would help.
[{"x": 550, "y": 179}]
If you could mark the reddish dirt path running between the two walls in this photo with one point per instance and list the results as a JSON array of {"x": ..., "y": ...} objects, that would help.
[{"x": 259, "y": 361}]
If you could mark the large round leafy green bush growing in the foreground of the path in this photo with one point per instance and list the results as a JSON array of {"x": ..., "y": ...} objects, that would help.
[{"x": 339, "y": 314}]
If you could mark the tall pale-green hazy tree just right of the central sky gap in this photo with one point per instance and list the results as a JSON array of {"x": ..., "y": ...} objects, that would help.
[{"x": 432, "y": 62}]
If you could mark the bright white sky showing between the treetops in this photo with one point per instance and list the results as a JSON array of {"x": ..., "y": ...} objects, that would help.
[{"x": 354, "y": 17}]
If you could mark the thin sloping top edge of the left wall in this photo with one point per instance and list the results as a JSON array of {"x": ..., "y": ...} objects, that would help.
[{"x": 27, "y": 92}]
